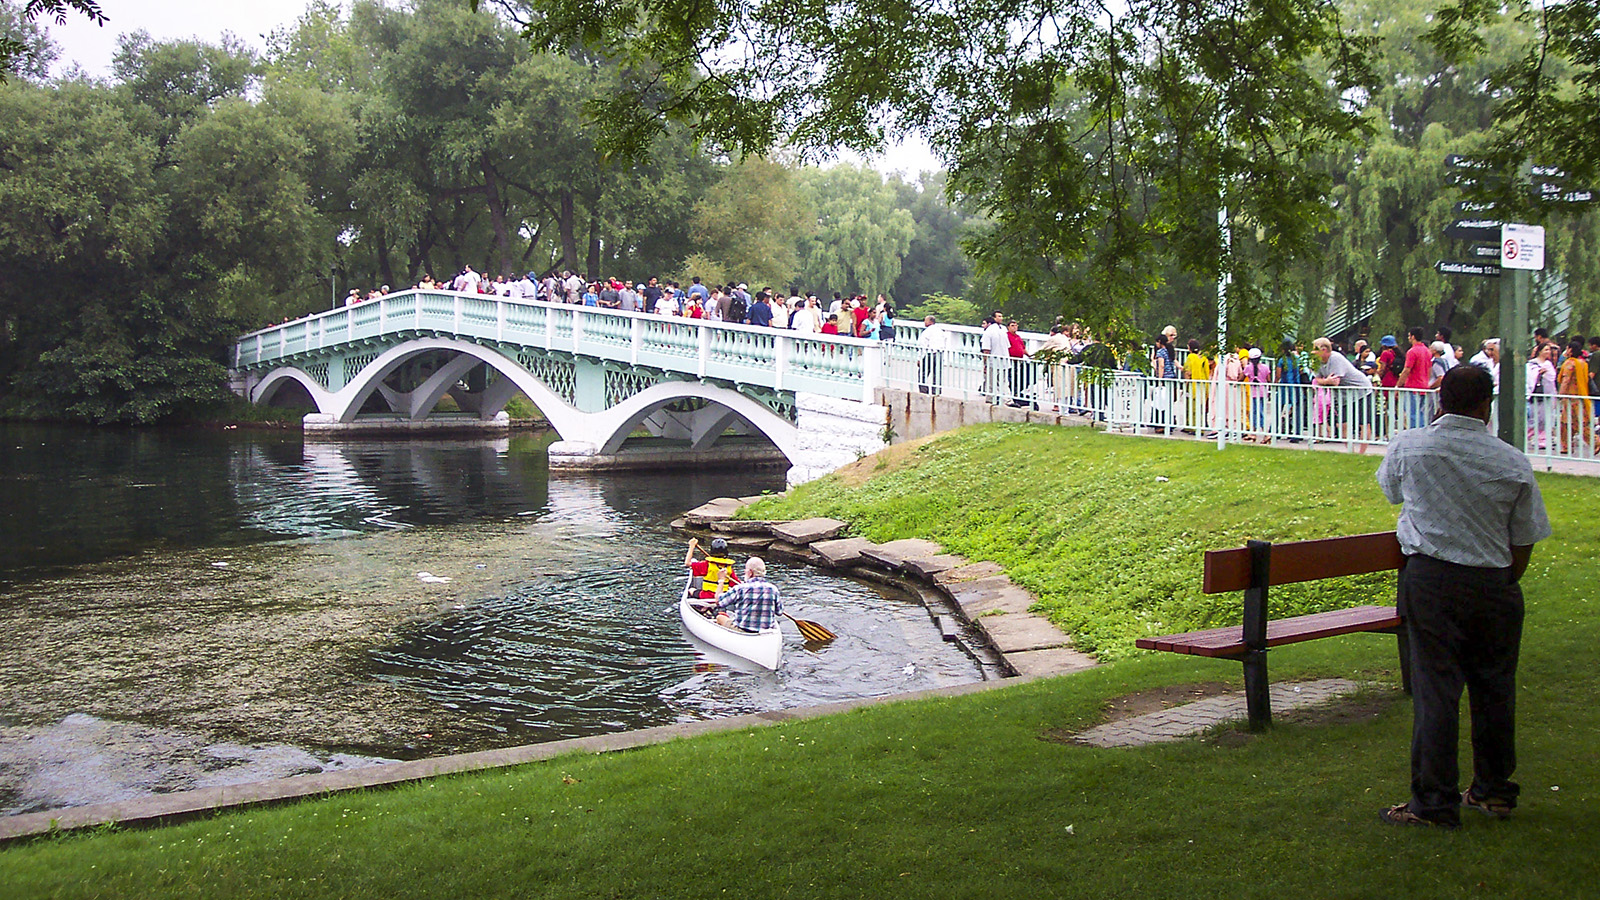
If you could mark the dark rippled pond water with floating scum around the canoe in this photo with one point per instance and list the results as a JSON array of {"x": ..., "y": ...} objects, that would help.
[{"x": 185, "y": 608}]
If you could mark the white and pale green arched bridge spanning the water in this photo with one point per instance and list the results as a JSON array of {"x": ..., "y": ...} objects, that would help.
[{"x": 598, "y": 376}]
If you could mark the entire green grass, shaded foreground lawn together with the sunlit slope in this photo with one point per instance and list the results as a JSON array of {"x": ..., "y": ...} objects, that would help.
[{"x": 966, "y": 797}]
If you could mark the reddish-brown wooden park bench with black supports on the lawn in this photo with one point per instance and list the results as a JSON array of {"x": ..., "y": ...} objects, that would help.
[{"x": 1257, "y": 568}]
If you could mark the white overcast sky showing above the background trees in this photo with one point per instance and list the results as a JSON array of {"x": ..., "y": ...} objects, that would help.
[{"x": 206, "y": 20}]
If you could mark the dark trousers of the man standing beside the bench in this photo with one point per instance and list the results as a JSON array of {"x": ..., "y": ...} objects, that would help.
[{"x": 1465, "y": 625}]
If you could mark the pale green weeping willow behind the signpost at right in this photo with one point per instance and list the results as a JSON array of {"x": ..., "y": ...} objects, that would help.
[{"x": 1396, "y": 196}]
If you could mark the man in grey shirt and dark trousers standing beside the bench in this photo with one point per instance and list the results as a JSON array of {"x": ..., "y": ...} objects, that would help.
[{"x": 1471, "y": 518}]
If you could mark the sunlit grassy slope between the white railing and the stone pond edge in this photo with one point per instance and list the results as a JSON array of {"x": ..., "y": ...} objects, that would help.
[{"x": 1086, "y": 521}]
